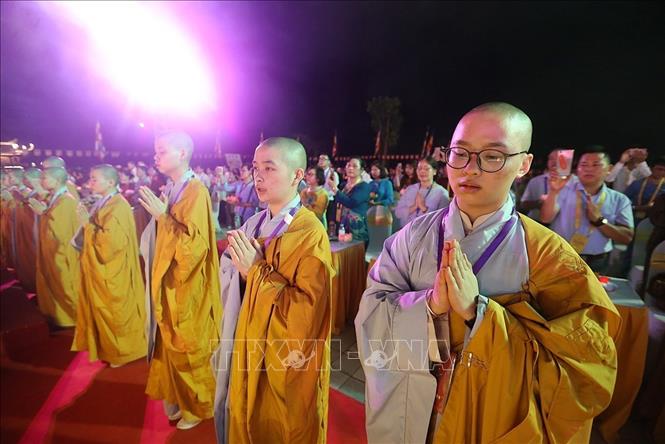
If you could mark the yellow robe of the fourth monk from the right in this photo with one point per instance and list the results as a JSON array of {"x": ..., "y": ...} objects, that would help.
[{"x": 111, "y": 309}]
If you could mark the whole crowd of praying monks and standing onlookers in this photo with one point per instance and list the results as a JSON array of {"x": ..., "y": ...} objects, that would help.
[{"x": 453, "y": 274}]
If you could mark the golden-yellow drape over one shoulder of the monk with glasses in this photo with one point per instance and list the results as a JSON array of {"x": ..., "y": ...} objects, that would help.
[{"x": 543, "y": 363}]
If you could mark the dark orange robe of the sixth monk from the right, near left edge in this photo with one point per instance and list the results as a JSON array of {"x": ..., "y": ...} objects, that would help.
[{"x": 27, "y": 235}]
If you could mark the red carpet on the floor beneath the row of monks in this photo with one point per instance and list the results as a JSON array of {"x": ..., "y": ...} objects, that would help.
[{"x": 50, "y": 394}]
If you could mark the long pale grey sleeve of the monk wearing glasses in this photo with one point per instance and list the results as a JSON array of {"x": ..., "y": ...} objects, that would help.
[{"x": 393, "y": 345}]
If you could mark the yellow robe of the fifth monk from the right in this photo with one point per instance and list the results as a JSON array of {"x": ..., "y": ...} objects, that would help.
[{"x": 58, "y": 267}]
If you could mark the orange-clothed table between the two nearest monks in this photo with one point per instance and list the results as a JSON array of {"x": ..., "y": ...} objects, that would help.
[{"x": 348, "y": 283}]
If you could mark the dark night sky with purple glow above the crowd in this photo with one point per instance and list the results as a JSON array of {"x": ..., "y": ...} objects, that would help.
[{"x": 584, "y": 72}]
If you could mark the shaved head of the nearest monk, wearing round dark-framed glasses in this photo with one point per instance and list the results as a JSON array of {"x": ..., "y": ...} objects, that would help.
[{"x": 488, "y": 151}]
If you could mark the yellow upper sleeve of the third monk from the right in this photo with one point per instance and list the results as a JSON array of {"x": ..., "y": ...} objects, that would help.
[{"x": 190, "y": 237}]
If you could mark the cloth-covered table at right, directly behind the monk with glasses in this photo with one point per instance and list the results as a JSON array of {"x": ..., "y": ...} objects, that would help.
[{"x": 631, "y": 344}]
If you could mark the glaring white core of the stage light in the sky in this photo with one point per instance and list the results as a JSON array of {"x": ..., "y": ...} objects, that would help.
[{"x": 147, "y": 54}]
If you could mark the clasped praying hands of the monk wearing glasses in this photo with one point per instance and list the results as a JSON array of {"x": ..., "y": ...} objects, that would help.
[{"x": 455, "y": 285}]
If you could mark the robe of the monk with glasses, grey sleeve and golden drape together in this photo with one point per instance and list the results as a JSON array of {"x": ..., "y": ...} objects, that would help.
[{"x": 539, "y": 367}]
